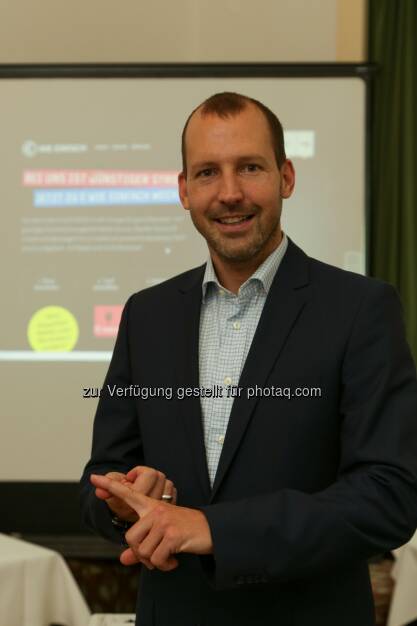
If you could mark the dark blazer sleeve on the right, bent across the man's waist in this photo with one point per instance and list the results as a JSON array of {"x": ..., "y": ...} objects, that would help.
[{"x": 372, "y": 506}]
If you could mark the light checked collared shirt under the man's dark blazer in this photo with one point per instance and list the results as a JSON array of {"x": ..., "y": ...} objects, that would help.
[{"x": 227, "y": 325}]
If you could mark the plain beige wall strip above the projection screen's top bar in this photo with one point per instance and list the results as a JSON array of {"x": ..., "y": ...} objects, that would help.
[{"x": 58, "y": 31}]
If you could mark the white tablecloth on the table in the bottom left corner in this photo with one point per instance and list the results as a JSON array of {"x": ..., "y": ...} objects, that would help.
[{"x": 37, "y": 588}]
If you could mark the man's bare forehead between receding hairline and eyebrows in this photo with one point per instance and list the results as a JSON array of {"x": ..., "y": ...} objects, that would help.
[{"x": 210, "y": 136}]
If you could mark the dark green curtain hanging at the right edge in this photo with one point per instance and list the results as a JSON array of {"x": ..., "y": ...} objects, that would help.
[{"x": 393, "y": 235}]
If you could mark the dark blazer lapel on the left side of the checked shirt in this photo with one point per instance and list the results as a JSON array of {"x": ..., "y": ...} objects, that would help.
[{"x": 188, "y": 376}]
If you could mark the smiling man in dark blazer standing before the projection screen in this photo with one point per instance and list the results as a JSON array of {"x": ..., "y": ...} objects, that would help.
[{"x": 279, "y": 496}]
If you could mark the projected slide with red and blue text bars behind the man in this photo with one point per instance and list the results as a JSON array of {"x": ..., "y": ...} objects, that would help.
[{"x": 91, "y": 210}]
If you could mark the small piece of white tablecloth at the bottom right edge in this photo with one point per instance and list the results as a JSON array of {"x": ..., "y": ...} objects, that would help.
[{"x": 403, "y": 609}]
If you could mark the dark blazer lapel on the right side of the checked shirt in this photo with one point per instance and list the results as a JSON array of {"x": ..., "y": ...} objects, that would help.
[{"x": 284, "y": 304}]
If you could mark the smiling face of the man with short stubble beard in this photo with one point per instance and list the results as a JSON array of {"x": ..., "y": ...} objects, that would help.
[{"x": 233, "y": 187}]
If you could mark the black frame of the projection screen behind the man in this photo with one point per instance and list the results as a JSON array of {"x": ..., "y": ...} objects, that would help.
[{"x": 50, "y": 508}]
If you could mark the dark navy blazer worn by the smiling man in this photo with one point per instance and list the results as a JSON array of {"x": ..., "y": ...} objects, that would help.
[{"x": 307, "y": 488}]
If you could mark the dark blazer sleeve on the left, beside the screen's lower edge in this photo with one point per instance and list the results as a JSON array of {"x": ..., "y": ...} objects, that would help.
[{"x": 117, "y": 443}]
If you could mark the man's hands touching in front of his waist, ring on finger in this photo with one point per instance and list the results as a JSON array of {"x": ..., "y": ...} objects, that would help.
[{"x": 160, "y": 529}]
